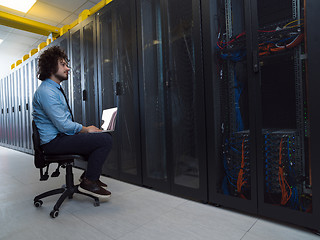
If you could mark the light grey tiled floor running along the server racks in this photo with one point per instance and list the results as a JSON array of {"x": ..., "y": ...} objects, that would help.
[{"x": 132, "y": 213}]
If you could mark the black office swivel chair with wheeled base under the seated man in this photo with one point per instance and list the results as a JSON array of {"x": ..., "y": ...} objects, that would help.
[{"x": 42, "y": 161}]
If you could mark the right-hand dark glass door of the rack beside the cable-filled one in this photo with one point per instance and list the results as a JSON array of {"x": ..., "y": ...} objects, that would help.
[{"x": 185, "y": 93}]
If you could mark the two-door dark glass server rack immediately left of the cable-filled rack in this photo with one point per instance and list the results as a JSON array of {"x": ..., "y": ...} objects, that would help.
[{"x": 171, "y": 97}]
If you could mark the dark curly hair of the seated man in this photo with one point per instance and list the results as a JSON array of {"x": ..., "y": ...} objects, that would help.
[{"x": 48, "y": 62}]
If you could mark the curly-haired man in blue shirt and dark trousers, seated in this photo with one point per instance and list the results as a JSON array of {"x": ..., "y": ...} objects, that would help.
[{"x": 59, "y": 134}]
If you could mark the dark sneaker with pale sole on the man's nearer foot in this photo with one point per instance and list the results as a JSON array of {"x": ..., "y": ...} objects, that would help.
[{"x": 93, "y": 189}]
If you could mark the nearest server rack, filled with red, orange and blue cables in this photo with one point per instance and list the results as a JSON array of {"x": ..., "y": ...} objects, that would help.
[{"x": 278, "y": 114}]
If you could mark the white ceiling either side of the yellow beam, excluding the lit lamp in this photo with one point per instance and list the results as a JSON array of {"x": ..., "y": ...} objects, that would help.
[{"x": 16, "y": 43}]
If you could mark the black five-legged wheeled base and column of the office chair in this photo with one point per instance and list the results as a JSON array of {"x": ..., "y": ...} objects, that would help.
[{"x": 67, "y": 192}]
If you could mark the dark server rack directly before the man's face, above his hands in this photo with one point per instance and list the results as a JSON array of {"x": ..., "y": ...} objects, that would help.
[{"x": 84, "y": 76}]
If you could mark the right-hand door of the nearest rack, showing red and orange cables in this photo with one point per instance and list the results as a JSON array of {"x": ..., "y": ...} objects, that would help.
[{"x": 285, "y": 181}]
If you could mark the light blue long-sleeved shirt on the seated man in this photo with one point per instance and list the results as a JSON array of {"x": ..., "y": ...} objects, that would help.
[{"x": 51, "y": 113}]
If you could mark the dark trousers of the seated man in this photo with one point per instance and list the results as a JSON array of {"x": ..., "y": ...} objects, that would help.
[{"x": 95, "y": 146}]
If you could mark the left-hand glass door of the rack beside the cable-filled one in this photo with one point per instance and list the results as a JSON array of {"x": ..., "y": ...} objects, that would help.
[{"x": 153, "y": 96}]
